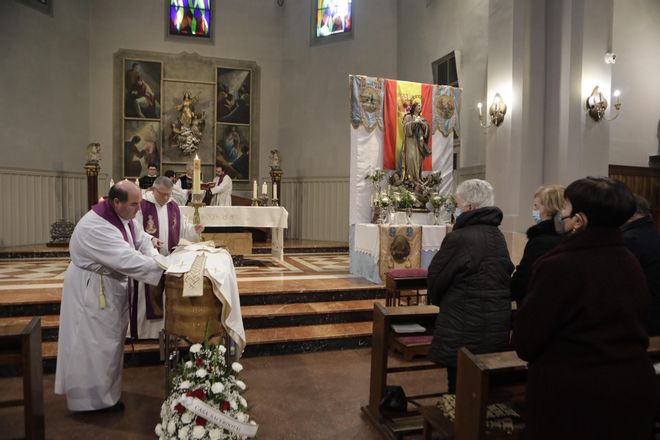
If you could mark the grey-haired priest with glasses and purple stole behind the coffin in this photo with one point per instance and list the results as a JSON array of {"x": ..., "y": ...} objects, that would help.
[{"x": 159, "y": 216}]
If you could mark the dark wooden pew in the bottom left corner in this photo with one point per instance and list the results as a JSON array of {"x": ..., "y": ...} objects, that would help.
[{"x": 21, "y": 344}]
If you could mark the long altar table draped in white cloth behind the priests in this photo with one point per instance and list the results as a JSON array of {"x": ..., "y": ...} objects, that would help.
[{"x": 274, "y": 217}]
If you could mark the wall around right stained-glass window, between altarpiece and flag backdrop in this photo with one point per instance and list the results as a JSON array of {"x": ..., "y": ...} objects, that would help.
[{"x": 315, "y": 99}]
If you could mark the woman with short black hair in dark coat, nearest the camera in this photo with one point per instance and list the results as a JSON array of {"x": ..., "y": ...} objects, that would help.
[{"x": 581, "y": 326}]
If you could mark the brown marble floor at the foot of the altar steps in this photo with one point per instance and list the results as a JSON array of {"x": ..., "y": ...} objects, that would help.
[{"x": 311, "y": 396}]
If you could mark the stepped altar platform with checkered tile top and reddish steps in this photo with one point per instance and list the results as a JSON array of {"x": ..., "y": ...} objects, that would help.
[{"x": 308, "y": 302}]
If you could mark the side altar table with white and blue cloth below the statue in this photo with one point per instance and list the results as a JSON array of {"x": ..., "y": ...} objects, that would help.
[{"x": 370, "y": 259}]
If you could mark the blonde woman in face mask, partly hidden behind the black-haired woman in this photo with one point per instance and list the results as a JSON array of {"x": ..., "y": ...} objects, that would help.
[{"x": 548, "y": 201}]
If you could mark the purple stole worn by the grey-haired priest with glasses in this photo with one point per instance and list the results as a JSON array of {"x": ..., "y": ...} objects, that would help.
[{"x": 154, "y": 294}]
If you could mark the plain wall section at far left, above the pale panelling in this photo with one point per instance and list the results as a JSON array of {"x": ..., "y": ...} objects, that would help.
[{"x": 44, "y": 116}]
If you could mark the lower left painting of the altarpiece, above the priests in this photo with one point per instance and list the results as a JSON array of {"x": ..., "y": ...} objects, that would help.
[{"x": 141, "y": 147}]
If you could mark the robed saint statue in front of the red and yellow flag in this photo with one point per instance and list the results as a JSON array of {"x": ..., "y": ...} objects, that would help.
[{"x": 415, "y": 144}]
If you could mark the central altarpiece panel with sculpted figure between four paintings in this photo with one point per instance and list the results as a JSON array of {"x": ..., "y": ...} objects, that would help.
[{"x": 188, "y": 106}]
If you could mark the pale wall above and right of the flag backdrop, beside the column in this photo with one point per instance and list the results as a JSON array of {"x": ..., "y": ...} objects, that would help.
[{"x": 431, "y": 29}]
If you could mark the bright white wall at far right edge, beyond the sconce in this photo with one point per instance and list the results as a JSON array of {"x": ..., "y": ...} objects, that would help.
[{"x": 635, "y": 135}]
